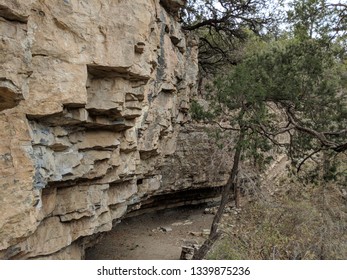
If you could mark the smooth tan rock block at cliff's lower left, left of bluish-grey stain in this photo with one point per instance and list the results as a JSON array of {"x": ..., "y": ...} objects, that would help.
[{"x": 19, "y": 199}]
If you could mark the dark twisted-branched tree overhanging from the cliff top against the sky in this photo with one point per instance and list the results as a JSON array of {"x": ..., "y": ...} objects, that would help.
[{"x": 222, "y": 26}]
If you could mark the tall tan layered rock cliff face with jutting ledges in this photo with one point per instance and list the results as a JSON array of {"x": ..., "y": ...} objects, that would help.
[{"x": 94, "y": 99}]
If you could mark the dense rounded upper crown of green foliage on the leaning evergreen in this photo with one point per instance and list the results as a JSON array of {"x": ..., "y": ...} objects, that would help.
[{"x": 295, "y": 72}]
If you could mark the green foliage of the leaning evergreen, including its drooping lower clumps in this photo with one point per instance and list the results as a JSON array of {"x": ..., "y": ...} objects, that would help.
[{"x": 303, "y": 79}]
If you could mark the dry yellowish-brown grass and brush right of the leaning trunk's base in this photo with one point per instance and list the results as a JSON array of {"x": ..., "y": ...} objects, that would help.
[{"x": 299, "y": 222}]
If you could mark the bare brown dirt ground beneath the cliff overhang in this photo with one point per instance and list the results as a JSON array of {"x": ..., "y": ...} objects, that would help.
[{"x": 153, "y": 236}]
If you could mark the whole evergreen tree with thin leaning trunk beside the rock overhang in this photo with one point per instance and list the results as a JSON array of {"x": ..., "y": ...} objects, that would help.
[{"x": 294, "y": 86}]
